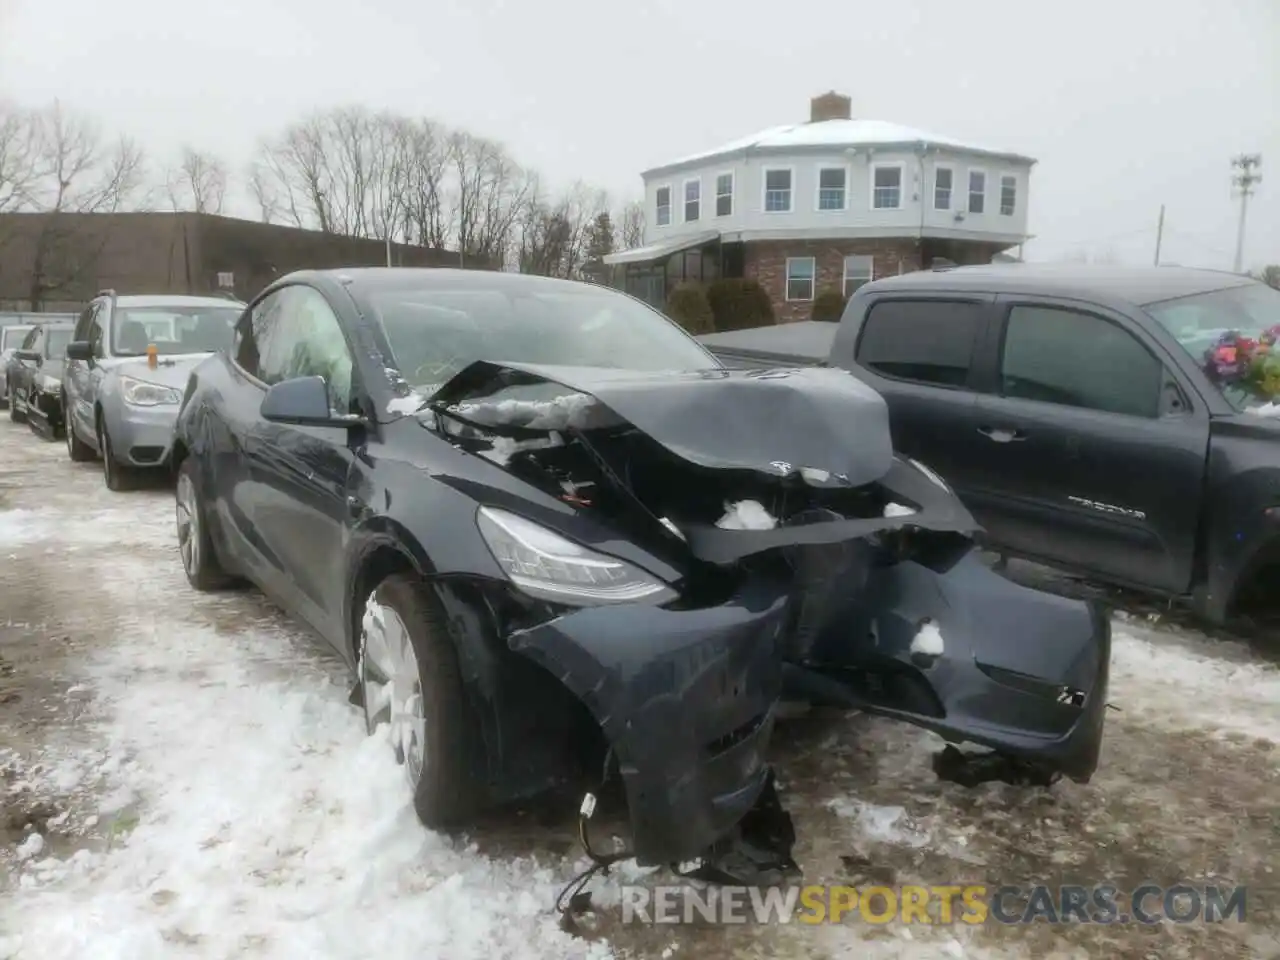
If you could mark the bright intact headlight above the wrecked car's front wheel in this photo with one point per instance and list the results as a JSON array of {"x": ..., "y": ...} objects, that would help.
[{"x": 548, "y": 566}]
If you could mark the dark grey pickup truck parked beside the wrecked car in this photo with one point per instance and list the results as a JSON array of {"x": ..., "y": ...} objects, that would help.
[{"x": 1110, "y": 422}]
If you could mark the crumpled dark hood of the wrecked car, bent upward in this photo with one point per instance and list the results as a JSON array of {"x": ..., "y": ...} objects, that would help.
[{"x": 771, "y": 422}]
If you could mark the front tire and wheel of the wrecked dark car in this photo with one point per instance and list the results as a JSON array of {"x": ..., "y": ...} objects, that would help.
[{"x": 445, "y": 790}]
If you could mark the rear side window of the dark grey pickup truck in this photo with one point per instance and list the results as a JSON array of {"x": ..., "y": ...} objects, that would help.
[{"x": 927, "y": 341}]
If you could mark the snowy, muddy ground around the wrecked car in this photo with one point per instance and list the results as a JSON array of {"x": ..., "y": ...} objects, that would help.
[{"x": 184, "y": 778}]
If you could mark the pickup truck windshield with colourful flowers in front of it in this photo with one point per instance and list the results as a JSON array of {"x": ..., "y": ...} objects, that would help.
[{"x": 1233, "y": 336}]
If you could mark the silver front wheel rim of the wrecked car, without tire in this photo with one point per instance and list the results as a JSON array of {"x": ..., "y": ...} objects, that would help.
[{"x": 394, "y": 688}]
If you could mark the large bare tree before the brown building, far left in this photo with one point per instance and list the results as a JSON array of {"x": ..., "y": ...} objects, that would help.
[{"x": 77, "y": 172}]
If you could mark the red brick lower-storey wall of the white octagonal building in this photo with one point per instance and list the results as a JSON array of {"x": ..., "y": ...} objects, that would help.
[{"x": 767, "y": 263}]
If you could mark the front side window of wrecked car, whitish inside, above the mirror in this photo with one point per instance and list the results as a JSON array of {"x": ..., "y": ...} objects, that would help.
[{"x": 310, "y": 342}]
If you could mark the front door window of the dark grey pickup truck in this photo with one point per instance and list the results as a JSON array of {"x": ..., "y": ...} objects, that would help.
[{"x": 1078, "y": 360}]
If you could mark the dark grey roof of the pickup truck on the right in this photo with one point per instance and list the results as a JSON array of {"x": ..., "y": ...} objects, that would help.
[{"x": 1136, "y": 285}]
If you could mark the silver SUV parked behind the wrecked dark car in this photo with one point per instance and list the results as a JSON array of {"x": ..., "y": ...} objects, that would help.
[{"x": 126, "y": 371}]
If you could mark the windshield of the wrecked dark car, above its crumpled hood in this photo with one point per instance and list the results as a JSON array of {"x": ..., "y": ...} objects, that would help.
[{"x": 435, "y": 332}]
